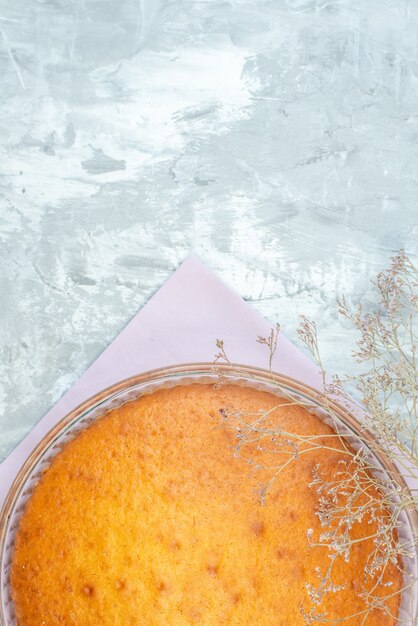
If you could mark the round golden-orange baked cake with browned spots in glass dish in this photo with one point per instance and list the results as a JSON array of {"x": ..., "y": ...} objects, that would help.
[{"x": 148, "y": 518}]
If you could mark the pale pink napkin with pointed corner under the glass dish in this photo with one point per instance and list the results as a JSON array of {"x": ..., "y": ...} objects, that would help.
[{"x": 179, "y": 324}]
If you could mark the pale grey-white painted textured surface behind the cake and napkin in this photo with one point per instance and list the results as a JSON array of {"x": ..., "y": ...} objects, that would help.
[{"x": 278, "y": 139}]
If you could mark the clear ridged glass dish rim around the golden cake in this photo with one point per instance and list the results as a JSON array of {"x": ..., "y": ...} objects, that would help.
[{"x": 130, "y": 389}]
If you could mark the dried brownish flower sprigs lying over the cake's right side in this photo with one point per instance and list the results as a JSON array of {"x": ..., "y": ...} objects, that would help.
[{"x": 383, "y": 397}]
